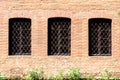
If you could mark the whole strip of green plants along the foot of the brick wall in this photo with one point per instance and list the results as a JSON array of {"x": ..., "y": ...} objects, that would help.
[{"x": 72, "y": 74}]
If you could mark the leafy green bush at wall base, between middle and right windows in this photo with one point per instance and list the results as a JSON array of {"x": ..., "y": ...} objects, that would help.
[{"x": 74, "y": 74}]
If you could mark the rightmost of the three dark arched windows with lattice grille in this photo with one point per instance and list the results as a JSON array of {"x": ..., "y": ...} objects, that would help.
[{"x": 100, "y": 37}]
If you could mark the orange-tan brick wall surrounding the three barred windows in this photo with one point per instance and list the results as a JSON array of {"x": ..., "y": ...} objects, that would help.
[{"x": 79, "y": 11}]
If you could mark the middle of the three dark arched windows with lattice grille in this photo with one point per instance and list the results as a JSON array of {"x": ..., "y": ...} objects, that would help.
[{"x": 59, "y": 36}]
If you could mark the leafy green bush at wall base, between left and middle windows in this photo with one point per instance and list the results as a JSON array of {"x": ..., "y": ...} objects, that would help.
[{"x": 36, "y": 74}]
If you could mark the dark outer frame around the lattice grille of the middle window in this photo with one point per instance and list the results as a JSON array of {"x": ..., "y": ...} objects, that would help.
[{"x": 60, "y": 19}]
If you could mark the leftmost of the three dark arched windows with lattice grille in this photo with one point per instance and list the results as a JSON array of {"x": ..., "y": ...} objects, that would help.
[{"x": 19, "y": 36}]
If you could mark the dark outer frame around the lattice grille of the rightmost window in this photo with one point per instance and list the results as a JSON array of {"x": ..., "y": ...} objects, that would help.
[{"x": 98, "y": 20}]
